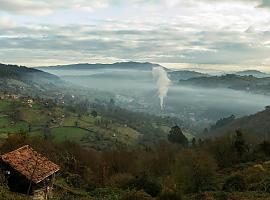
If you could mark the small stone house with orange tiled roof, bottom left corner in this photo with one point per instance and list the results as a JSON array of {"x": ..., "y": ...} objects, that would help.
[{"x": 29, "y": 172}]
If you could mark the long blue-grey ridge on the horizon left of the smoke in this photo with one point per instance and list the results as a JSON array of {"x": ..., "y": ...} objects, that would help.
[{"x": 118, "y": 65}]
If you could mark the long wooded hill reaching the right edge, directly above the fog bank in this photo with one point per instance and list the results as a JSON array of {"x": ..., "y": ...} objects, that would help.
[{"x": 232, "y": 81}]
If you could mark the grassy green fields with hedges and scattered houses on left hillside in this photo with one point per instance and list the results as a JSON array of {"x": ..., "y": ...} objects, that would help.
[{"x": 85, "y": 130}]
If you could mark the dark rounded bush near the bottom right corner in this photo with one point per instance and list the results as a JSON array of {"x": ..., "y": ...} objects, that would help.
[{"x": 235, "y": 183}]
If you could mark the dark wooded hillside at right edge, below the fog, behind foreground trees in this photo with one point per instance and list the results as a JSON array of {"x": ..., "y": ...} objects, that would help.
[{"x": 256, "y": 124}]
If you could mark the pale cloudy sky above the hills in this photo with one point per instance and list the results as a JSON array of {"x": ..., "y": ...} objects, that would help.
[{"x": 212, "y": 34}]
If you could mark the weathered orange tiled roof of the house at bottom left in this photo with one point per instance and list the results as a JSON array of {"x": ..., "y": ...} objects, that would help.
[{"x": 30, "y": 163}]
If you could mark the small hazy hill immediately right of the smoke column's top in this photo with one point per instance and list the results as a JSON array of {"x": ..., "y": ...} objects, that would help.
[{"x": 185, "y": 74}]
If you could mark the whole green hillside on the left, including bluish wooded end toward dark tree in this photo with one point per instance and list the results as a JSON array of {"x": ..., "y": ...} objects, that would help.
[{"x": 107, "y": 128}]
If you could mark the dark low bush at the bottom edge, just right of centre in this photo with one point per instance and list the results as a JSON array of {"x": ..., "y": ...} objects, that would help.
[{"x": 150, "y": 187}]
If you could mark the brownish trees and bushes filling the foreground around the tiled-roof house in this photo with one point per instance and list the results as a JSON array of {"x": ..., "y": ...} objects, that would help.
[{"x": 229, "y": 167}]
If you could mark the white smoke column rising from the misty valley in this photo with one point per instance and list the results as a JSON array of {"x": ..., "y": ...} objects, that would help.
[{"x": 163, "y": 82}]
